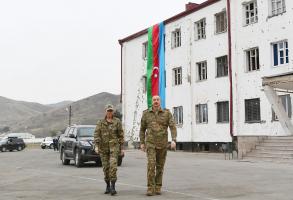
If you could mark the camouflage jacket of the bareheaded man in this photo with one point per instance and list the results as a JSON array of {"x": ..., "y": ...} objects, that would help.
[{"x": 154, "y": 128}]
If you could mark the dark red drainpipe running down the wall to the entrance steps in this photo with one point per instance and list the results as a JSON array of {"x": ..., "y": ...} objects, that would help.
[{"x": 230, "y": 69}]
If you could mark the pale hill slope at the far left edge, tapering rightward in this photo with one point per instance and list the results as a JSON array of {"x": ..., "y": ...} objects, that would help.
[{"x": 11, "y": 110}]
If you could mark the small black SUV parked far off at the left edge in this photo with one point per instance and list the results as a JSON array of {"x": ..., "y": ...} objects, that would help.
[{"x": 12, "y": 143}]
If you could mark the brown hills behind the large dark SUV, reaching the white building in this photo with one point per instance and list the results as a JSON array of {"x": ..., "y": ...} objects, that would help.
[{"x": 85, "y": 111}]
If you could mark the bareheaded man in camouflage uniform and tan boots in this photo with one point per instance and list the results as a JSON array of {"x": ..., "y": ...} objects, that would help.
[{"x": 154, "y": 140}]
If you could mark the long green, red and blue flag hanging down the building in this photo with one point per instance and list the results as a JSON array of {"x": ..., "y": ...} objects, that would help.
[{"x": 156, "y": 64}]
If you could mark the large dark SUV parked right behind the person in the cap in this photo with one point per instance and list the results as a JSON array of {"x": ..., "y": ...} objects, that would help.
[{"x": 77, "y": 144}]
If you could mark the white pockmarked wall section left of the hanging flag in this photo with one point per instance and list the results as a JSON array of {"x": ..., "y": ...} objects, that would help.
[{"x": 133, "y": 95}]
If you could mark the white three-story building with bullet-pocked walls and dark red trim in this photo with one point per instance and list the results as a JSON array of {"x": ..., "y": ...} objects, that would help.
[{"x": 219, "y": 55}]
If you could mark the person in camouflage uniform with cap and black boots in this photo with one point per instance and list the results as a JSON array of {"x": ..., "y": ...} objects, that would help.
[{"x": 109, "y": 140}]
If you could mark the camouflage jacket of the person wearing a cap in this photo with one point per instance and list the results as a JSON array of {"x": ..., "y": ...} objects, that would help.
[{"x": 108, "y": 134}]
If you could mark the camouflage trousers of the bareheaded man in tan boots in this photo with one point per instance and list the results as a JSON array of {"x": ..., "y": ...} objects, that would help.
[{"x": 155, "y": 167}]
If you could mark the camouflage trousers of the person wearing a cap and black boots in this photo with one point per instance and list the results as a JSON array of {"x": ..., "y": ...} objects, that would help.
[{"x": 109, "y": 161}]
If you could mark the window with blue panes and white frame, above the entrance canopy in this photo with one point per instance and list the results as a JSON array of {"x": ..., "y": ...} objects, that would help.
[{"x": 280, "y": 53}]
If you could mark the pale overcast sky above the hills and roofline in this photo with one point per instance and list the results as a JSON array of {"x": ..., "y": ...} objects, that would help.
[{"x": 55, "y": 50}]
